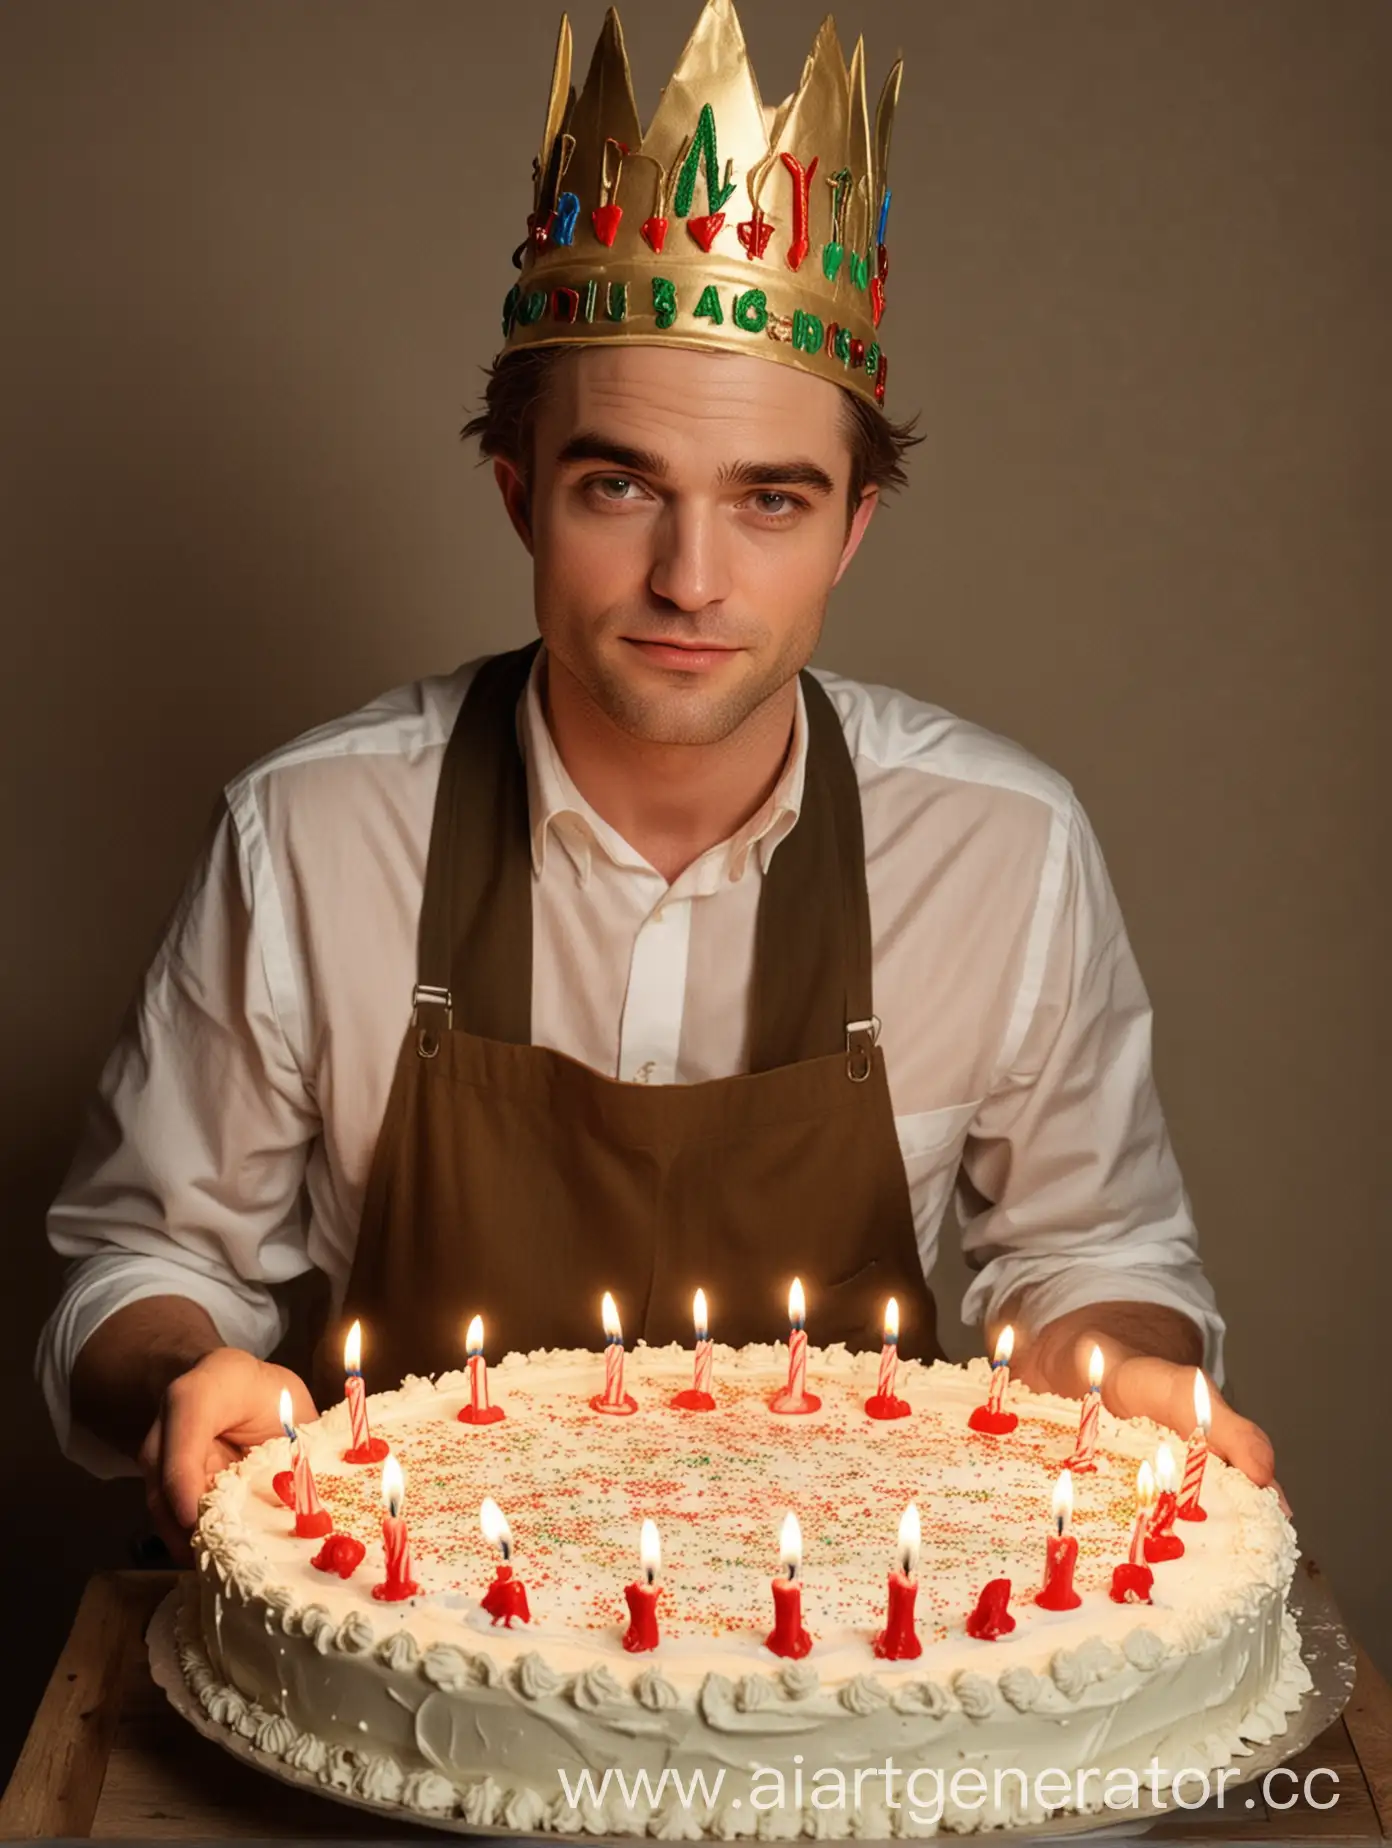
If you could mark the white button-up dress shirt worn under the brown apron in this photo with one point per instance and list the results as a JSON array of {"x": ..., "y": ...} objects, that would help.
[{"x": 230, "y": 1141}]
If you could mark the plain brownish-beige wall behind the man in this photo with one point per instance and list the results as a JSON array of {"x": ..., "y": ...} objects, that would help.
[{"x": 1142, "y": 295}]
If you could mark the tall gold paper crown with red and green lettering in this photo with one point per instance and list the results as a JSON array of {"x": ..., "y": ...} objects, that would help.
[{"x": 729, "y": 226}]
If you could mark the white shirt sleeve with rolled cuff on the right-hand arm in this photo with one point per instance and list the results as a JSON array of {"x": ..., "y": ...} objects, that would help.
[{"x": 1071, "y": 1193}]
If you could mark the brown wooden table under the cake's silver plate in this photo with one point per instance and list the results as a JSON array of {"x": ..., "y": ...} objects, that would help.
[{"x": 108, "y": 1758}]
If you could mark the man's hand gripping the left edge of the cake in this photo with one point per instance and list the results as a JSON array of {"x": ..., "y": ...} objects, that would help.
[{"x": 208, "y": 1418}]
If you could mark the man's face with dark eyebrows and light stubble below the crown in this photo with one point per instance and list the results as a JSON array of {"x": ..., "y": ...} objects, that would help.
[{"x": 689, "y": 518}]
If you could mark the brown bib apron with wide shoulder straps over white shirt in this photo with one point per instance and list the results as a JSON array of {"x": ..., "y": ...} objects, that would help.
[{"x": 519, "y": 1184}]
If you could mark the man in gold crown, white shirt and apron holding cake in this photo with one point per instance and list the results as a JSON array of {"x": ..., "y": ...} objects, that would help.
[{"x": 644, "y": 958}]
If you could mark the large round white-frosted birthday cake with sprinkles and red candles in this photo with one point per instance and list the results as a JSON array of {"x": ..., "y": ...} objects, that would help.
[{"x": 554, "y": 1679}]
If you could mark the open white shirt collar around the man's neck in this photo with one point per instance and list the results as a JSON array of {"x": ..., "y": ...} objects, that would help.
[{"x": 557, "y": 808}]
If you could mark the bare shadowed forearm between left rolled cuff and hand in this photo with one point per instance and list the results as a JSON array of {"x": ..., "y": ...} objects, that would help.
[{"x": 128, "y": 1361}]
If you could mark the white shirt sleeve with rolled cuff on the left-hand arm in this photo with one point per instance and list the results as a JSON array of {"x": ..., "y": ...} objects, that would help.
[{"x": 189, "y": 1173}]
